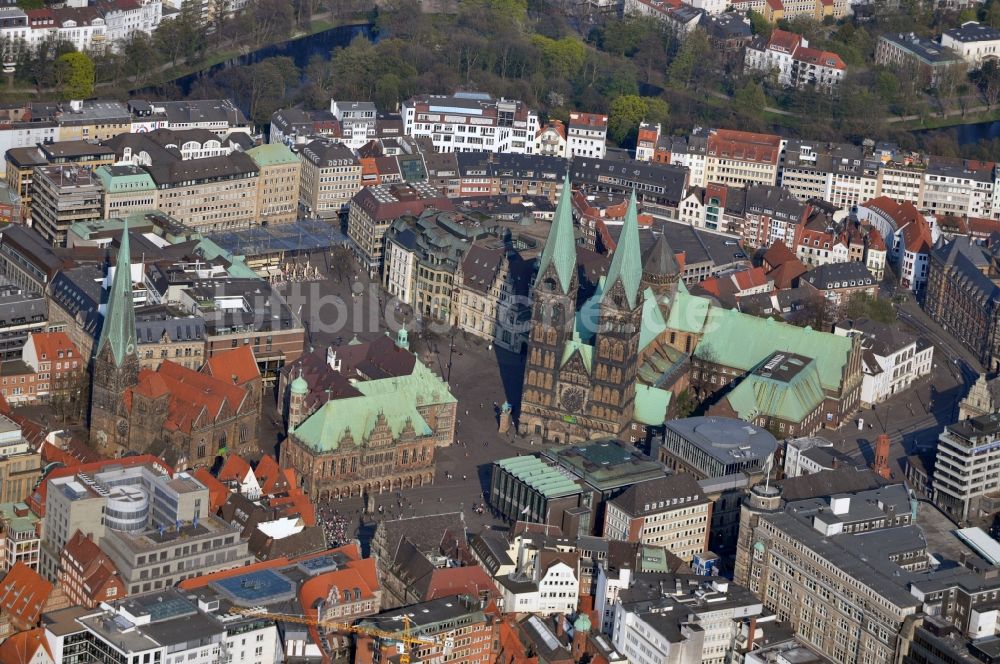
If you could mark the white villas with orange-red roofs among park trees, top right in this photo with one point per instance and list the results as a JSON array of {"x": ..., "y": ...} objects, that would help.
[{"x": 796, "y": 65}]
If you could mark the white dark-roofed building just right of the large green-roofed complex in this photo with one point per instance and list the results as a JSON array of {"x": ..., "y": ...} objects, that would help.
[{"x": 891, "y": 360}]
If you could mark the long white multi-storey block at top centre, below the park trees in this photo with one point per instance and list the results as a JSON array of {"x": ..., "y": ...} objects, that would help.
[{"x": 471, "y": 121}]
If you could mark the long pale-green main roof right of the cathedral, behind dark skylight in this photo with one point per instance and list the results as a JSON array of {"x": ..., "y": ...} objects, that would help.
[{"x": 743, "y": 341}]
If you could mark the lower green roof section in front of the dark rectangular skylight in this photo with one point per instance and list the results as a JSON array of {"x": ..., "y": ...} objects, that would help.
[{"x": 791, "y": 401}]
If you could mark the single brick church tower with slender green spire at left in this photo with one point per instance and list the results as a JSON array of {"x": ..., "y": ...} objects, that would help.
[{"x": 116, "y": 363}]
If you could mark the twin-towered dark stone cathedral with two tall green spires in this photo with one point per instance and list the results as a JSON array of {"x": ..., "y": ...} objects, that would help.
[{"x": 600, "y": 368}]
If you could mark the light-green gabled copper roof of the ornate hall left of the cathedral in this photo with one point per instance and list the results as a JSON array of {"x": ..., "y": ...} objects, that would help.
[{"x": 394, "y": 398}]
